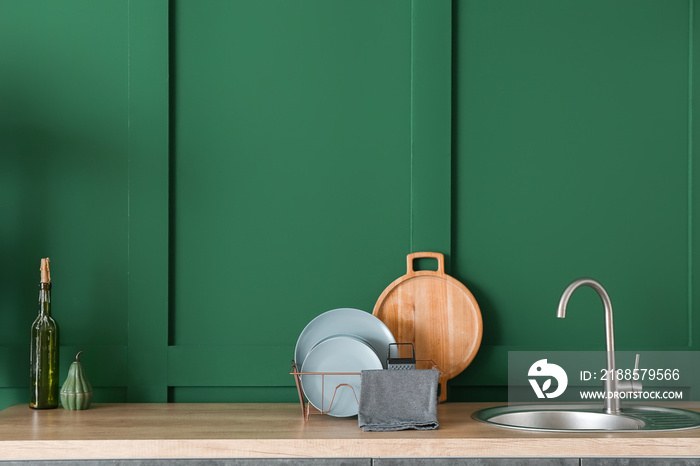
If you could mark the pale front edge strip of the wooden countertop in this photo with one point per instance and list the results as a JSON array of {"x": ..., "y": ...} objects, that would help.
[{"x": 348, "y": 448}]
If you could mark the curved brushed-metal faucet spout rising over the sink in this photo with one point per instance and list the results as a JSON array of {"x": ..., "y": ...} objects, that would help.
[{"x": 611, "y": 402}]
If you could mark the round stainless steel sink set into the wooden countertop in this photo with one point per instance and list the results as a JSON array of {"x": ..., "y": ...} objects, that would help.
[{"x": 588, "y": 418}]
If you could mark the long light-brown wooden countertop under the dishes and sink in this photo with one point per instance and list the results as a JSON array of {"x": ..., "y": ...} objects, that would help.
[{"x": 278, "y": 430}]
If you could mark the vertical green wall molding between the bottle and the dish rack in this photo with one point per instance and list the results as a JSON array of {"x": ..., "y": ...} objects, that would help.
[{"x": 148, "y": 174}]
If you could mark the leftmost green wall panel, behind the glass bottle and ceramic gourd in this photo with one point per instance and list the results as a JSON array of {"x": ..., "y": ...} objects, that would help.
[{"x": 64, "y": 185}]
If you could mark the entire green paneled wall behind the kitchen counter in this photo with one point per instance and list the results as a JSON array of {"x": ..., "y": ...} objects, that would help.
[{"x": 209, "y": 176}]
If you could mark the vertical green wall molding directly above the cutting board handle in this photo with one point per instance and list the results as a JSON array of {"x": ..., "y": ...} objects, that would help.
[{"x": 431, "y": 103}]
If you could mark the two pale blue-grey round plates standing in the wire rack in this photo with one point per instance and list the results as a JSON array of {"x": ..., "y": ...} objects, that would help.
[{"x": 336, "y": 343}]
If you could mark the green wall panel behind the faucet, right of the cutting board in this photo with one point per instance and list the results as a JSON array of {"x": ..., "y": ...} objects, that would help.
[{"x": 572, "y": 157}]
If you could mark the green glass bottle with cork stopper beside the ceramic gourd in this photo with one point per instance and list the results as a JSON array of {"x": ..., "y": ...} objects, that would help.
[{"x": 43, "y": 383}]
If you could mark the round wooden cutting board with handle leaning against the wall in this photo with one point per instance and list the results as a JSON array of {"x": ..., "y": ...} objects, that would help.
[{"x": 436, "y": 313}]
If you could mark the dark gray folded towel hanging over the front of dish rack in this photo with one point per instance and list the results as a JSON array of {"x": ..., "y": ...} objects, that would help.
[{"x": 398, "y": 400}]
